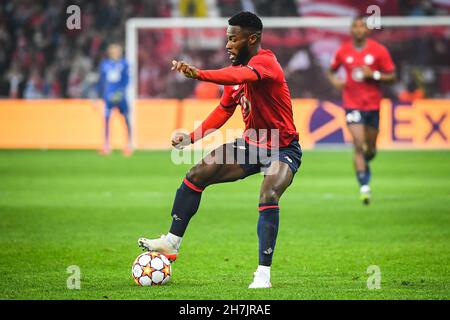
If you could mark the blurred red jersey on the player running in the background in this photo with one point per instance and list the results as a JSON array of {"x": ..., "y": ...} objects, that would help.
[{"x": 359, "y": 93}]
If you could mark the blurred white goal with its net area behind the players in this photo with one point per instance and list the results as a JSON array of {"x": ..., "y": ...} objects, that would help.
[{"x": 303, "y": 46}]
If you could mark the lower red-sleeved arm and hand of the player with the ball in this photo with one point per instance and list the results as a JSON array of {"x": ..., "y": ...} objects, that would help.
[{"x": 214, "y": 121}]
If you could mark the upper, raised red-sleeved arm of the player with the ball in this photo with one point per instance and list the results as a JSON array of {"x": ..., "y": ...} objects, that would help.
[{"x": 224, "y": 76}]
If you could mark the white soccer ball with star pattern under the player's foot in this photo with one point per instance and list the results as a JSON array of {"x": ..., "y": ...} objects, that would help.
[{"x": 151, "y": 269}]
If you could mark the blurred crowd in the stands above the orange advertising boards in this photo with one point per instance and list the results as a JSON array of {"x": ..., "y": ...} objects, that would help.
[{"x": 41, "y": 58}]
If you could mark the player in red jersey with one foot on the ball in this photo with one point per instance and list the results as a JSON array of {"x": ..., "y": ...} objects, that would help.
[{"x": 256, "y": 82}]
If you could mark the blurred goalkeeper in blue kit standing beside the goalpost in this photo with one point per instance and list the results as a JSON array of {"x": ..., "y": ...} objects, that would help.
[{"x": 112, "y": 86}]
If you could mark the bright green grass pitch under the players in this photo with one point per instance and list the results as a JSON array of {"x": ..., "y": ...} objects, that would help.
[{"x": 63, "y": 208}]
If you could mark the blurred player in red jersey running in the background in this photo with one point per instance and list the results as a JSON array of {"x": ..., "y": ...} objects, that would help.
[{"x": 367, "y": 63}]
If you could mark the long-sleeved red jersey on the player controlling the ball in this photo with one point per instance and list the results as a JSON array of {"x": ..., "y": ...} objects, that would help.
[{"x": 262, "y": 92}]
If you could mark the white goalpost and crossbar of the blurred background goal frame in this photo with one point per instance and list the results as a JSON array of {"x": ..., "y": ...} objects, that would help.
[{"x": 133, "y": 25}]
